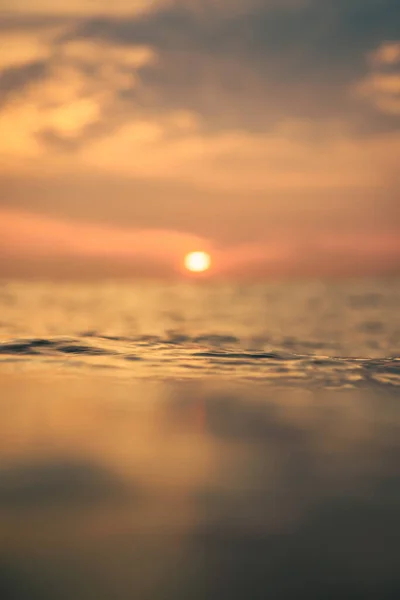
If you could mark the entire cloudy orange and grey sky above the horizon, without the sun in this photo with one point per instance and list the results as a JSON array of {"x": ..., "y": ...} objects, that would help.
[{"x": 265, "y": 132}]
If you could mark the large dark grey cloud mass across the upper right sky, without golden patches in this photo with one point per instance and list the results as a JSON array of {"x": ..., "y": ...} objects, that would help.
[{"x": 251, "y": 69}]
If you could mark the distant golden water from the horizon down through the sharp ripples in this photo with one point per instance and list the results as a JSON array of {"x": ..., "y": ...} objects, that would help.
[{"x": 333, "y": 334}]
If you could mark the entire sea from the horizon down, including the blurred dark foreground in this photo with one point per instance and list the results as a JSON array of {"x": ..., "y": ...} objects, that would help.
[{"x": 193, "y": 441}]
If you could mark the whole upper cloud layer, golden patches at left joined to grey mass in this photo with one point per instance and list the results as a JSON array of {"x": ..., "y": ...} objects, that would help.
[{"x": 230, "y": 66}]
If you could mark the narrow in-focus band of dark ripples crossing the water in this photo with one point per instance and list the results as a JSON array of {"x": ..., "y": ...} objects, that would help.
[{"x": 184, "y": 356}]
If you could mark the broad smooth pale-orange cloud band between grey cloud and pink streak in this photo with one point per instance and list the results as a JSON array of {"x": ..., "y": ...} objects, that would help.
[{"x": 229, "y": 188}]
